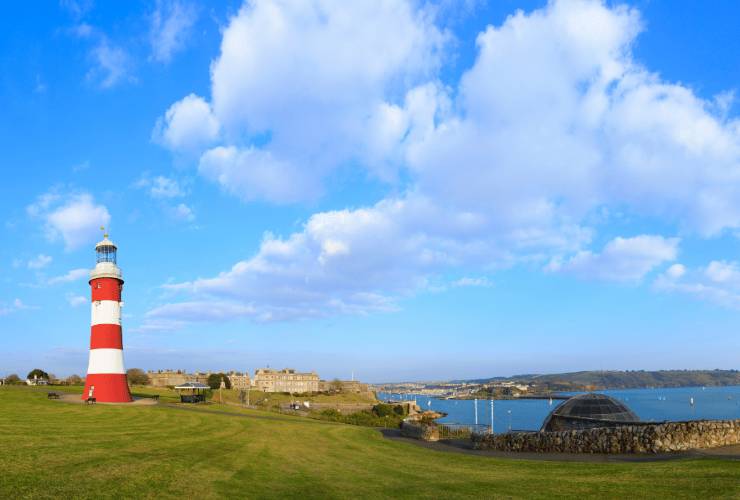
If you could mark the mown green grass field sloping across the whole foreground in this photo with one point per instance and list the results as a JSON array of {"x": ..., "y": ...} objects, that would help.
[{"x": 58, "y": 450}]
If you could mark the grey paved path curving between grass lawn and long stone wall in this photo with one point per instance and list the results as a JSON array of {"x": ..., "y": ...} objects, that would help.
[{"x": 463, "y": 446}]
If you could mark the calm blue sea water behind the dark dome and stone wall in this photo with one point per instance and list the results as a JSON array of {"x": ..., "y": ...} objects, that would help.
[{"x": 648, "y": 404}]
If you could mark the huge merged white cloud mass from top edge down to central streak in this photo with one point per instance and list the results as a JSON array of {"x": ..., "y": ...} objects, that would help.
[{"x": 554, "y": 122}]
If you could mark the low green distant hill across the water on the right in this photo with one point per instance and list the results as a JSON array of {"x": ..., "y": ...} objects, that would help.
[{"x": 596, "y": 380}]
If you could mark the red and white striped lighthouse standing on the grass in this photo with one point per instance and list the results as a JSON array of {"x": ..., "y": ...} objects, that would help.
[{"x": 106, "y": 376}]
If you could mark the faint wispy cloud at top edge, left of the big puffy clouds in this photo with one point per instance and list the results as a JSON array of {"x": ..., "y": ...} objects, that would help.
[{"x": 170, "y": 26}]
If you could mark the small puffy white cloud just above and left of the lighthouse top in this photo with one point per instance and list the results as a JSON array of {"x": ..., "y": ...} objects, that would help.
[{"x": 74, "y": 218}]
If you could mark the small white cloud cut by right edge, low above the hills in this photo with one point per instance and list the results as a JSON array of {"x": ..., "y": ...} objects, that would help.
[{"x": 718, "y": 282}]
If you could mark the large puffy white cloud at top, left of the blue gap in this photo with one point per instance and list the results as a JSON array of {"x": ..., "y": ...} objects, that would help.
[{"x": 351, "y": 59}]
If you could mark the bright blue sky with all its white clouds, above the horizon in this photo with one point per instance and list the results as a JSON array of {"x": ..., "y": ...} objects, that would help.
[{"x": 400, "y": 190}]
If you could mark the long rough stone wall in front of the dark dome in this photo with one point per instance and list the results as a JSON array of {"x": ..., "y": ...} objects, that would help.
[{"x": 643, "y": 438}]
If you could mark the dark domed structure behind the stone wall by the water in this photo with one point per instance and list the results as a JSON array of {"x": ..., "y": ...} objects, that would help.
[{"x": 587, "y": 411}]
